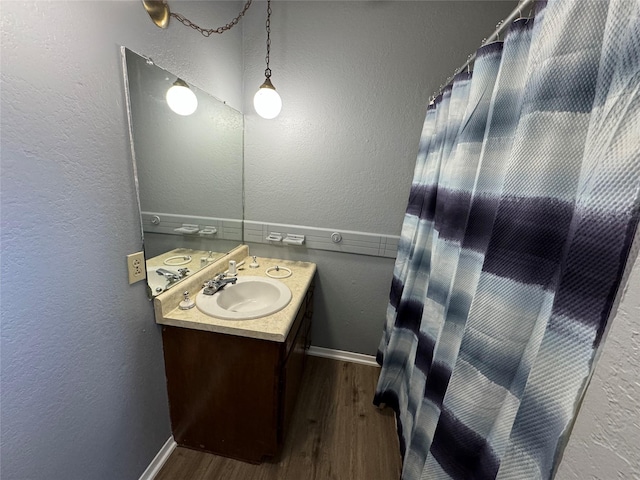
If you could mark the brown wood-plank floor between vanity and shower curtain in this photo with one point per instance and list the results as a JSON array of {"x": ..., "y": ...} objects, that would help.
[{"x": 336, "y": 433}]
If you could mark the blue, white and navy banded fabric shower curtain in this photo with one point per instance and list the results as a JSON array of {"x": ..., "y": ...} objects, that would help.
[{"x": 521, "y": 218}]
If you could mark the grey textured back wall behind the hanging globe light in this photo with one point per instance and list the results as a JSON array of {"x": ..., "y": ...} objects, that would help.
[{"x": 355, "y": 79}]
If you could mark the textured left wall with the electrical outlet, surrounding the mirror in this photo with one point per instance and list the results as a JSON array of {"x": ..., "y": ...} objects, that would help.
[{"x": 83, "y": 388}]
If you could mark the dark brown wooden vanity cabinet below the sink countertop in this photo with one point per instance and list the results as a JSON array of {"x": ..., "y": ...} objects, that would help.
[{"x": 232, "y": 395}]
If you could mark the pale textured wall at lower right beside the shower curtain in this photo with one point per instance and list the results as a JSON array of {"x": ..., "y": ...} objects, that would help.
[{"x": 604, "y": 442}]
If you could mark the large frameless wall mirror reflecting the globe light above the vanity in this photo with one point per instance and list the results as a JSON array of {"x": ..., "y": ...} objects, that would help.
[{"x": 188, "y": 172}]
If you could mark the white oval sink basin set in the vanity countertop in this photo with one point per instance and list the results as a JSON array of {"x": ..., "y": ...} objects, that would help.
[{"x": 248, "y": 298}]
